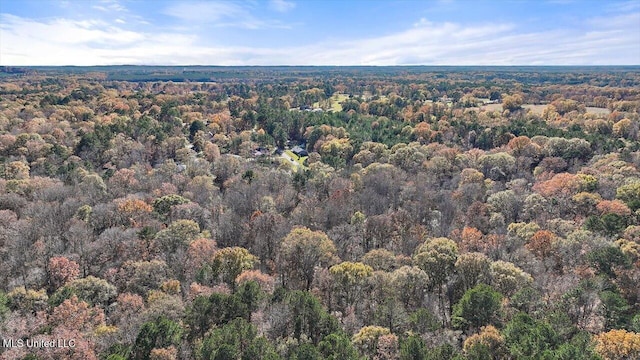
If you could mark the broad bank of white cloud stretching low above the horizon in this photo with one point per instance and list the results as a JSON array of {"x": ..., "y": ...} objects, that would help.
[{"x": 95, "y": 42}]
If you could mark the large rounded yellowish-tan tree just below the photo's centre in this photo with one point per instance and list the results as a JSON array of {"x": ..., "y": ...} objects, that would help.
[{"x": 301, "y": 251}]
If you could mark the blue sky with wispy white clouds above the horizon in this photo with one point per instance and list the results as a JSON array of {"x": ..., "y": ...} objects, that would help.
[{"x": 319, "y": 32}]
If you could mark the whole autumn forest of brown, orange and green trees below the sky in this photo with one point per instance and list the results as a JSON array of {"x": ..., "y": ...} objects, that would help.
[{"x": 341, "y": 213}]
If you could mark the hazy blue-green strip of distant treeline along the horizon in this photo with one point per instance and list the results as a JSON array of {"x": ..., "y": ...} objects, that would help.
[{"x": 524, "y": 74}]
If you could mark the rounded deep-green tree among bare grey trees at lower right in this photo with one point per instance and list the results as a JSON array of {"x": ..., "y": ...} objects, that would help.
[{"x": 479, "y": 306}]
